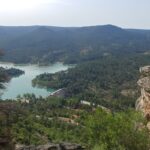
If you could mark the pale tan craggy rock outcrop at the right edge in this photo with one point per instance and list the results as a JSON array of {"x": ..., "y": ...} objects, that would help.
[{"x": 143, "y": 102}]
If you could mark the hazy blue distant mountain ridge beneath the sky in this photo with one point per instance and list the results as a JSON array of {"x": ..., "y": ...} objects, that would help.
[{"x": 69, "y": 44}]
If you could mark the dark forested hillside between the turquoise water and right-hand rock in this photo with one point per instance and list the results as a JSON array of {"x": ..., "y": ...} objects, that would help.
[{"x": 110, "y": 81}]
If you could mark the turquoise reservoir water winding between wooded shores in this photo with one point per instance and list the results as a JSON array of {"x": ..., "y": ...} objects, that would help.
[{"x": 23, "y": 84}]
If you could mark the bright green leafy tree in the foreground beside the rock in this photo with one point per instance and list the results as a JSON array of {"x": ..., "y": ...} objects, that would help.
[{"x": 116, "y": 131}]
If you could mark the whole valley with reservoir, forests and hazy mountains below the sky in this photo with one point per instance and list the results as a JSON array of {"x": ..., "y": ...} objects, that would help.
[{"x": 87, "y": 101}]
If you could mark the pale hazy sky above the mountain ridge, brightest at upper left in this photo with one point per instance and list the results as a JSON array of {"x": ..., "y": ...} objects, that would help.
[{"x": 123, "y": 13}]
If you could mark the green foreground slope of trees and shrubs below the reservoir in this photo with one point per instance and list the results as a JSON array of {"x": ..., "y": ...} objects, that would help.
[{"x": 40, "y": 121}]
